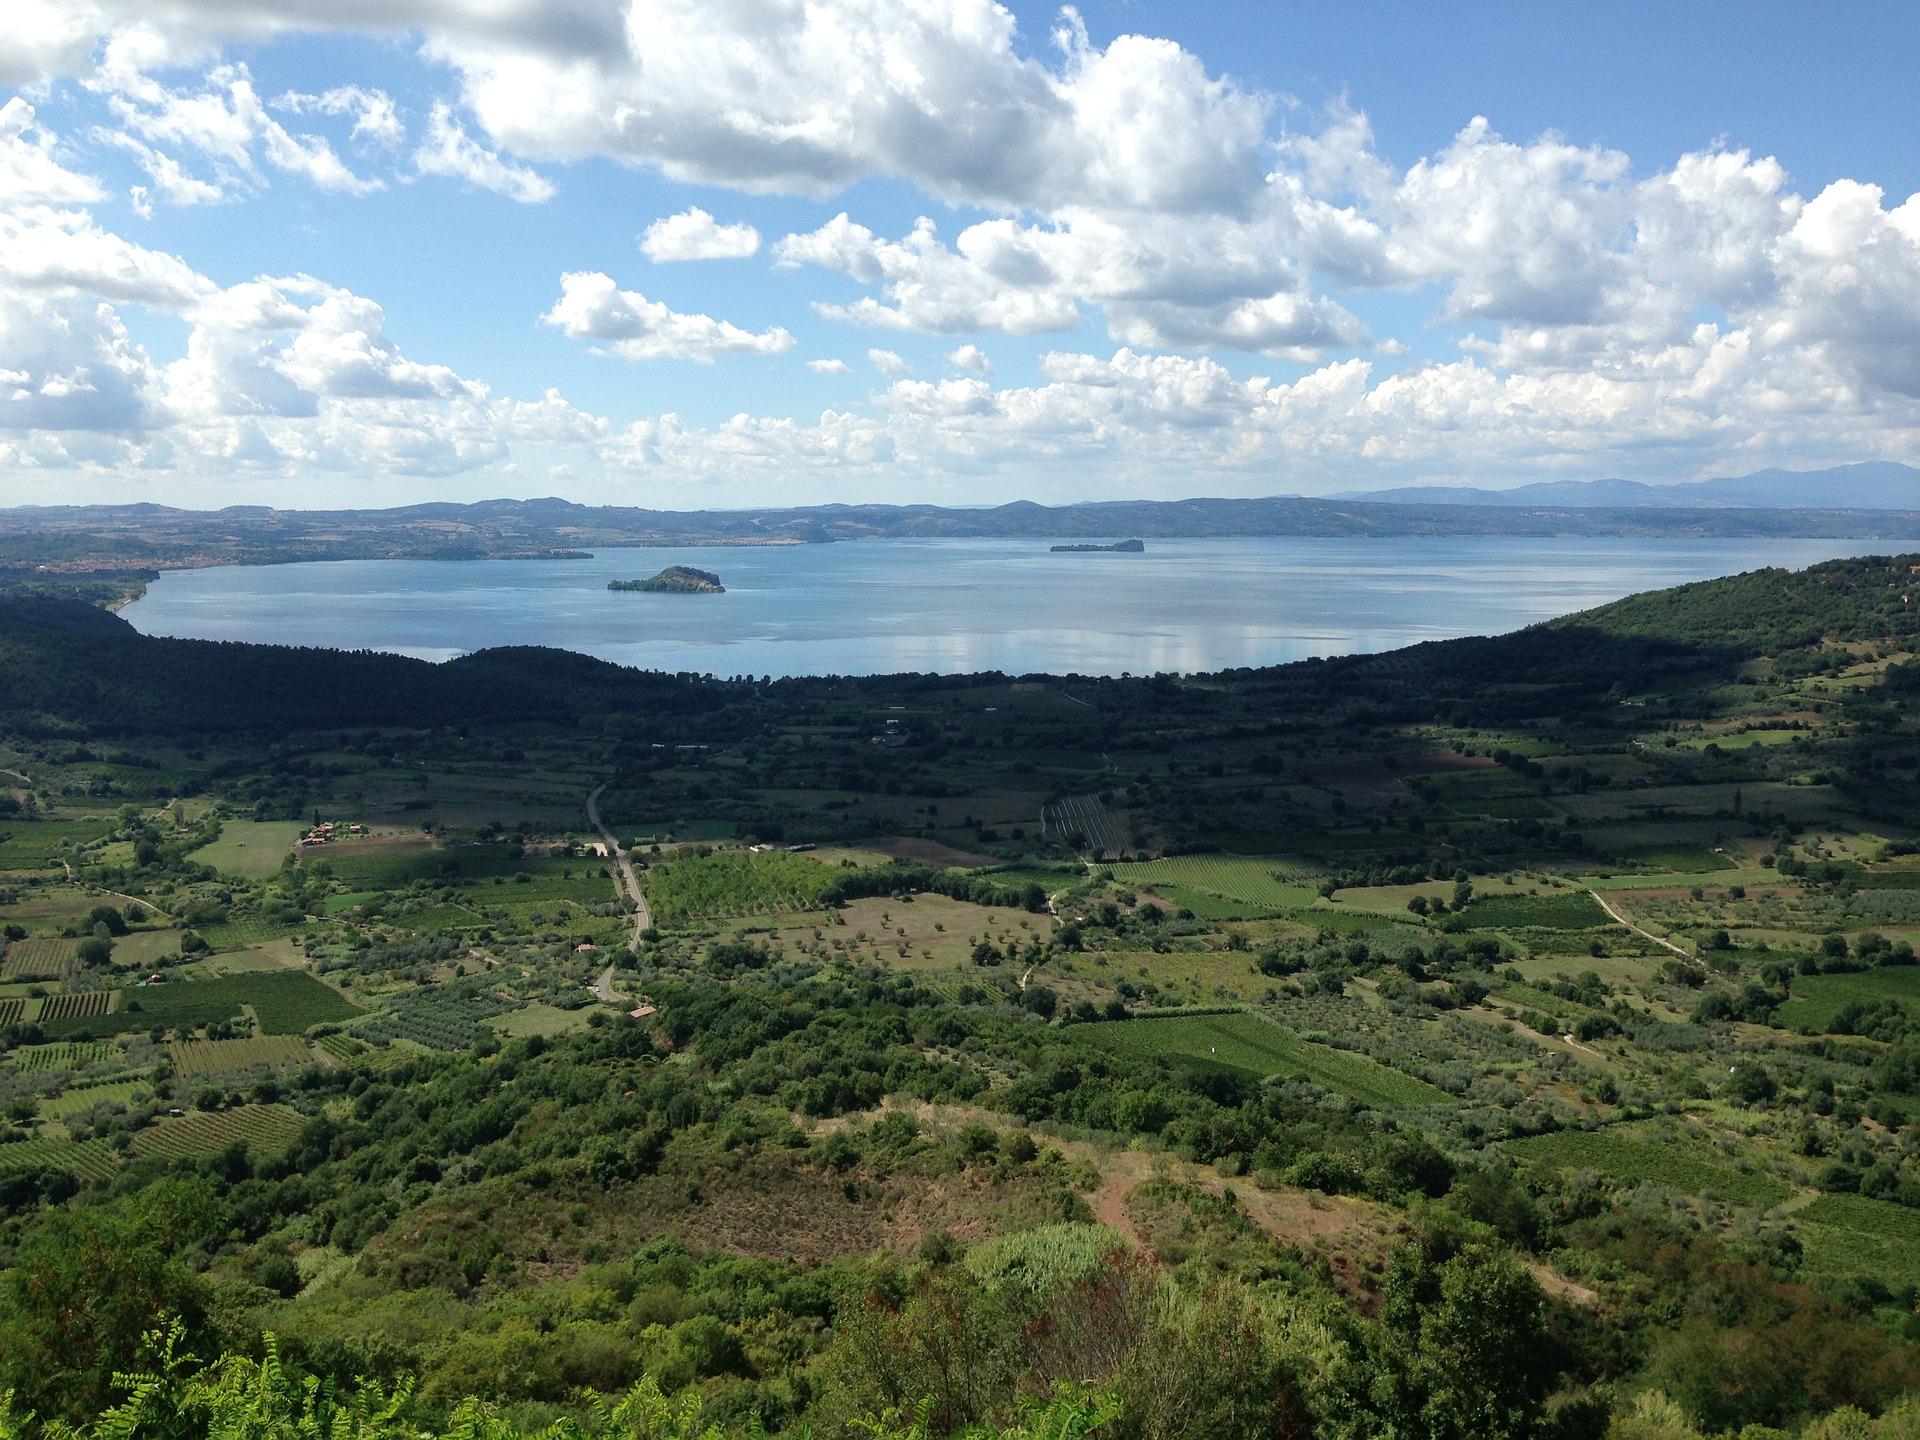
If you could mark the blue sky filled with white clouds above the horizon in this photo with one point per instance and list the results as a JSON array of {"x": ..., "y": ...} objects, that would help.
[{"x": 773, "y": 252}]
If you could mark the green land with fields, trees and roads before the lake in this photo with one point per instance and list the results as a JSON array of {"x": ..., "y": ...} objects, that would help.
[{"x": 1495, "y": 1040}]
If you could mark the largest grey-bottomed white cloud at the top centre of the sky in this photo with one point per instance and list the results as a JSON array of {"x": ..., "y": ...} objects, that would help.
[{"x": 809, "y": 99}]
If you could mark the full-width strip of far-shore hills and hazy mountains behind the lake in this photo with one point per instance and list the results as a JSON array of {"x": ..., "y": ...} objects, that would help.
[{"x": 1858, "y": 502}]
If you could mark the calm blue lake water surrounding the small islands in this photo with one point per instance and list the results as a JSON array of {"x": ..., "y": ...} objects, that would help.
[{"x": 953, "y": 606}]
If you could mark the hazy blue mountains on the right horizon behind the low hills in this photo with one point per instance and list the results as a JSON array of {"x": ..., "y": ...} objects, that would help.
[{"x": 1867, "y": 487}]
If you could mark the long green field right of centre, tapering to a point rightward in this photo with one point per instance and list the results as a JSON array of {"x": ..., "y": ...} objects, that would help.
[{"x": 1260, "y": 1047}]
